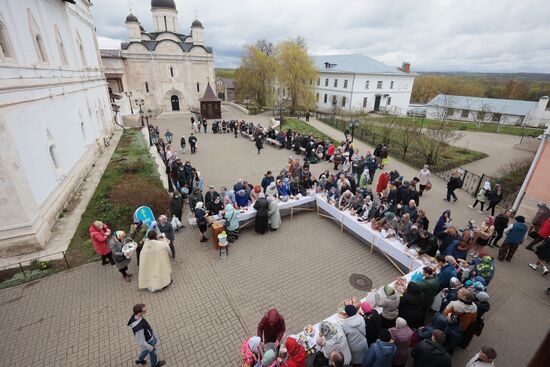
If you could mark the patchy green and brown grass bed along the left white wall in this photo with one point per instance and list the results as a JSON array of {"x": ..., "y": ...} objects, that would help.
[{"x": 130, "y": 180}]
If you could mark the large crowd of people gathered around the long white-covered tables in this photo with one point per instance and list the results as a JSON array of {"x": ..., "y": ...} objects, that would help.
[{"x": 439, "y": 310}]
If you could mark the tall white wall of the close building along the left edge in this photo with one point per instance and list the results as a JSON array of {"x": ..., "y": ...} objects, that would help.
[{"x": 55, "y": 114}]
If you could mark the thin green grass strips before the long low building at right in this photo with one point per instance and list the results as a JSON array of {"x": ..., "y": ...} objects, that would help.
[{"x": 465, "y": 126}]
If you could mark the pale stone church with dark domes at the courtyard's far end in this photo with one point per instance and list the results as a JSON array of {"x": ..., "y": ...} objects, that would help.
[{"x": 168, "y": 70}]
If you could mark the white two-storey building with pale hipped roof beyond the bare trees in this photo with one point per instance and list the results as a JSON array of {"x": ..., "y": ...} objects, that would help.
[{"x": 356, "y": 82}]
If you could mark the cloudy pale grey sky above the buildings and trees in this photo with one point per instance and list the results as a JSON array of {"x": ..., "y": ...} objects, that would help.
[{"x": 433, "y": 35}]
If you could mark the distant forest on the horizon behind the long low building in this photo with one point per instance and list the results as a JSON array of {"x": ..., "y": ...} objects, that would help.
[{"x": 508, "y": 86}]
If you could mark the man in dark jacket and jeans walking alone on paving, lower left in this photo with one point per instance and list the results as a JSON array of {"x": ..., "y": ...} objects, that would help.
[{"x": 145, "y": 339}]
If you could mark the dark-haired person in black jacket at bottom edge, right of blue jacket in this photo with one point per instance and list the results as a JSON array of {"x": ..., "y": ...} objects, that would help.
[{"x": 431, "y": 352}]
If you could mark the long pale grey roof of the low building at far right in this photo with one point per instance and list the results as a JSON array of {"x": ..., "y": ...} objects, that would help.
[{"x": 493, "y": 105}]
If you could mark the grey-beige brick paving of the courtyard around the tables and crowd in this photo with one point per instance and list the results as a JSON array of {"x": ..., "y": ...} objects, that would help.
[{"x": 78, "y": 317}]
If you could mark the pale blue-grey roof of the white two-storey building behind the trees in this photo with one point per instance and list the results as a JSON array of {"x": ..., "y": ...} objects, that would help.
[{"x": 355, "y": 64}]
